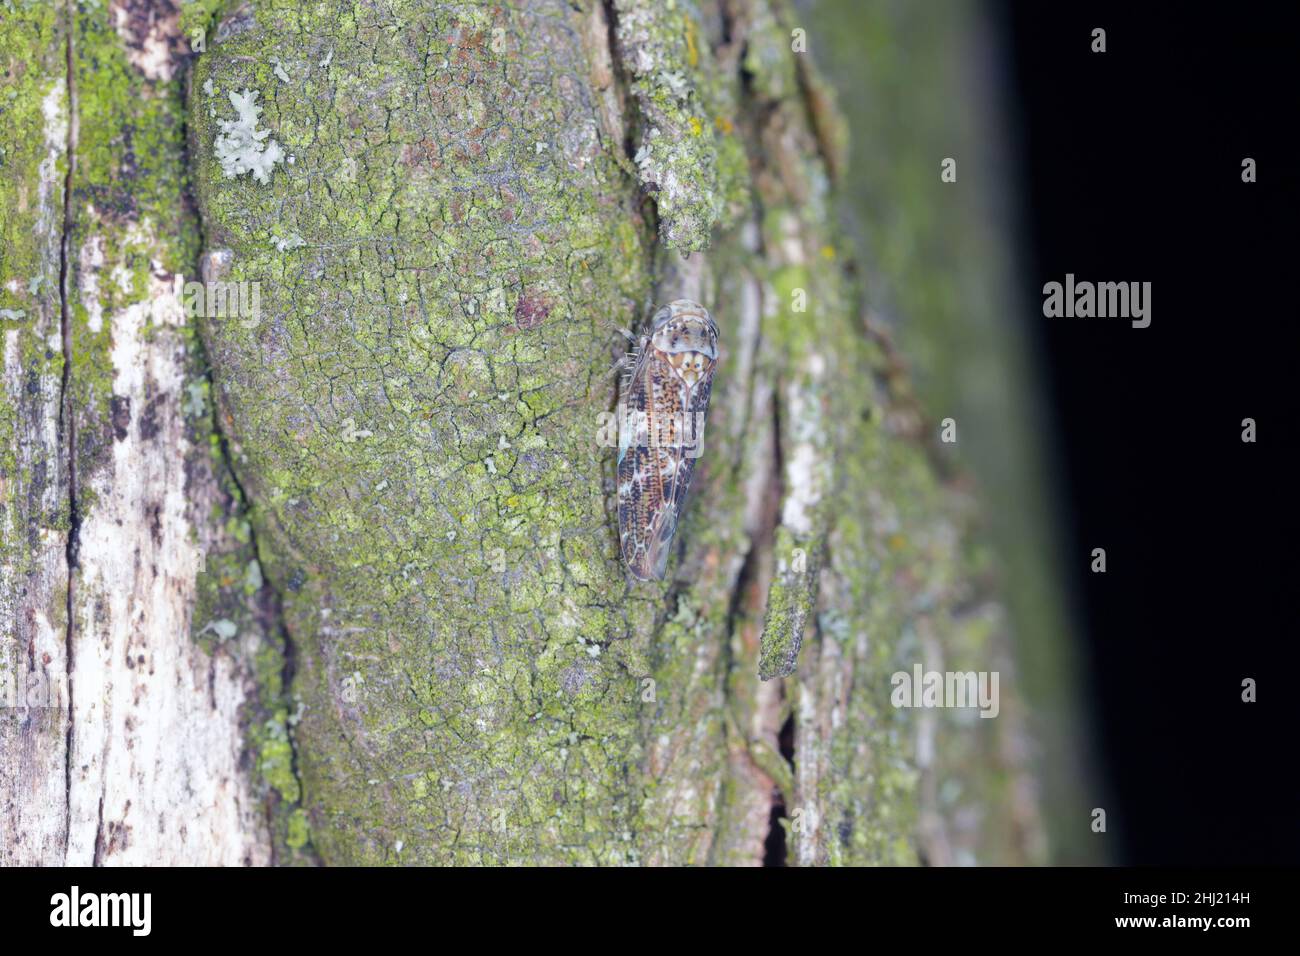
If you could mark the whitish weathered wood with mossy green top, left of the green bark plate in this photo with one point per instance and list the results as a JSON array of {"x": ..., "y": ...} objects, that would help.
[{"x": 122, "y": 738}]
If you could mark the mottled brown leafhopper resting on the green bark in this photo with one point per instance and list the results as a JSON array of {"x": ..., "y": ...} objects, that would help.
[{"x": 662, "y": 417}]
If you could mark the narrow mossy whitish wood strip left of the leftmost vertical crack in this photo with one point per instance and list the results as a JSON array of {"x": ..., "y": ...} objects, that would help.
[{"x": 34, "y": 516}]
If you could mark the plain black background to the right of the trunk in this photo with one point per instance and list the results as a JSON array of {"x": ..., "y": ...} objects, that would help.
[{"x": 1133, "y": 172}]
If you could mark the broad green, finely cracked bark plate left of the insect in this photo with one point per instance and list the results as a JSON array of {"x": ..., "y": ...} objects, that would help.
[{"x": 413, "y": 421}]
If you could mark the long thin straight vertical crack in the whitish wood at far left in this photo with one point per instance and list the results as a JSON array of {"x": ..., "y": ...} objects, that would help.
[{"x": 67, "y": 419}]
